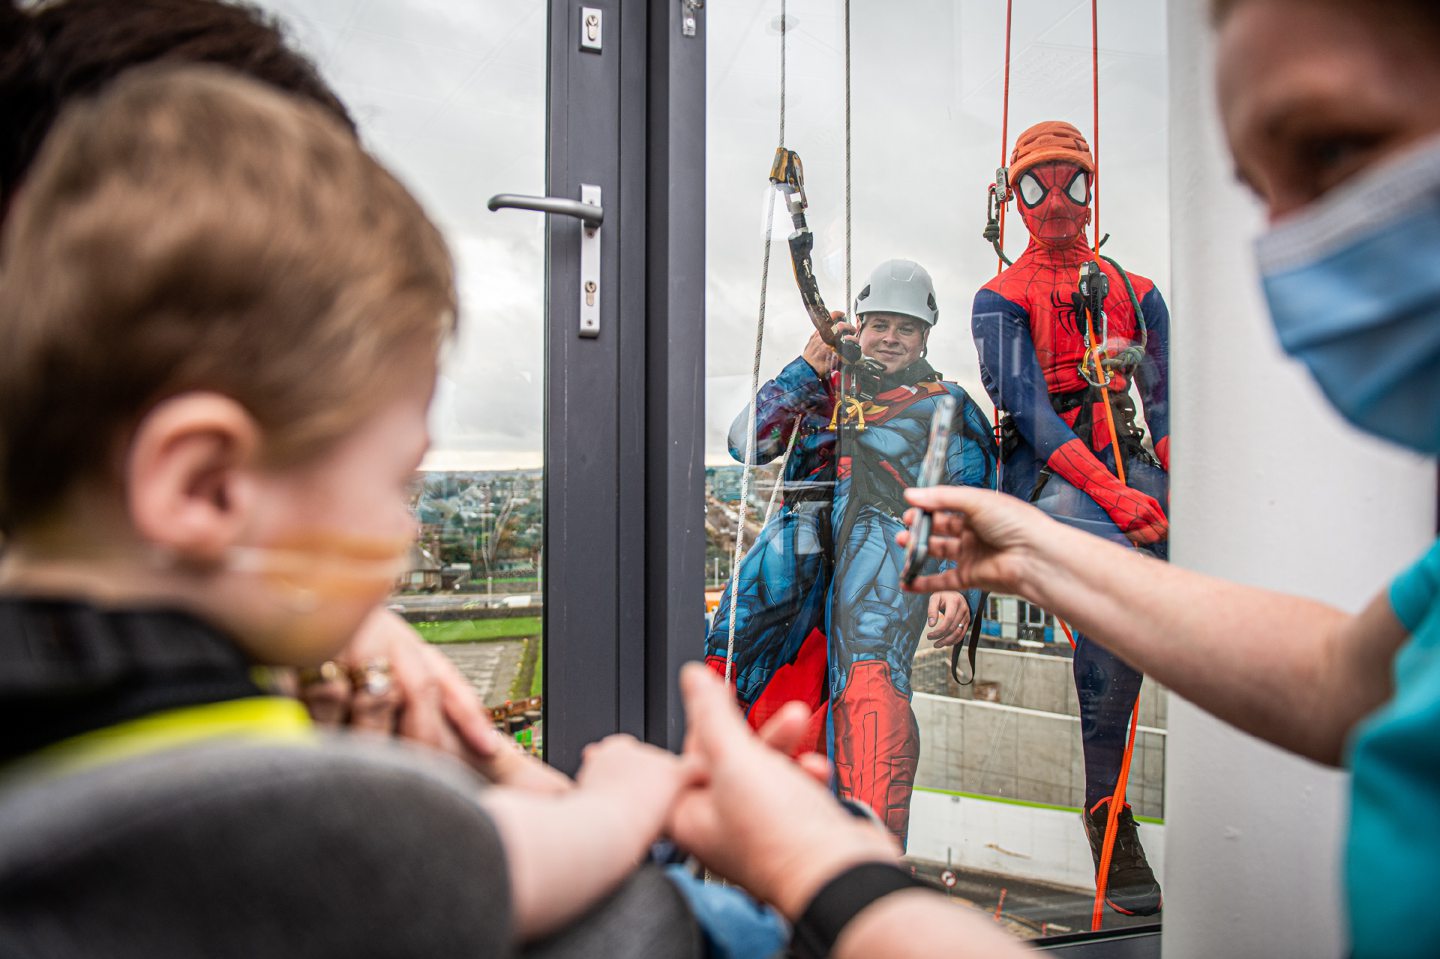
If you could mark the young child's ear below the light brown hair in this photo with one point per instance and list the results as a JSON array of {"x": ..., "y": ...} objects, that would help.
[{"x": 189, "y": 477}]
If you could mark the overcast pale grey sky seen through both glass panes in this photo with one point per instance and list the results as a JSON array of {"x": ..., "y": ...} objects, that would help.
[{"x": 451, "y": 94}]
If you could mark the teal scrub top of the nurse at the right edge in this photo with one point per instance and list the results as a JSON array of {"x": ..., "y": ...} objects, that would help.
[{"x": 1393, "y": 852}]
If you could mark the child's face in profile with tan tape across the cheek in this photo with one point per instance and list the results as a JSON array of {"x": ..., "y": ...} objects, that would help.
[{"x": 333, "y": 535}]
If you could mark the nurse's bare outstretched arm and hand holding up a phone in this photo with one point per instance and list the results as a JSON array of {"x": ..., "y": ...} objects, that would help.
[{"x": 1290, "y": 670}]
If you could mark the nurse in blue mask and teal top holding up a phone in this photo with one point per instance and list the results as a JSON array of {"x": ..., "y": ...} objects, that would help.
[{"x": 1333, "y": 113}]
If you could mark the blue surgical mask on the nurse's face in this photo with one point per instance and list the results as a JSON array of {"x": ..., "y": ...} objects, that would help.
[{"x": 1354, "y": 290}]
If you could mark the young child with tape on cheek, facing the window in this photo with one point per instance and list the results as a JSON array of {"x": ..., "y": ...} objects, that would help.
[{"x": 221, "y": 329}]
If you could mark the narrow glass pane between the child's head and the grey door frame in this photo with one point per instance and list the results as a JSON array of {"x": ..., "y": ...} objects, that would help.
[{"x": 450, "y": 94}]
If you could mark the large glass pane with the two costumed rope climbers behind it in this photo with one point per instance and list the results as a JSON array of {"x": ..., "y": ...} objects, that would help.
[{"x": 1004, "y": 765}]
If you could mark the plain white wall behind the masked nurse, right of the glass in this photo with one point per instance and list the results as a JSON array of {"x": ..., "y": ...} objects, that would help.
[{"x": 1272, "y": 489}]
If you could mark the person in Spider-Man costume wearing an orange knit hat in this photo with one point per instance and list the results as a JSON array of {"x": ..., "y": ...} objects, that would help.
[{"x": 1052, "y": 371}]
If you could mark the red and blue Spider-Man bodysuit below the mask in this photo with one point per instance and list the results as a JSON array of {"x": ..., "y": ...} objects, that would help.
[{"x": 1030, "y": 354}]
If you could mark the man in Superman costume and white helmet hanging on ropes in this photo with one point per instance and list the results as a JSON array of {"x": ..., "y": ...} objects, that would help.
[{"x": 827, "y": 565}]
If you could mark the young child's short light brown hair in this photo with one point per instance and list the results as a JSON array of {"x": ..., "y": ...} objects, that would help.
[{"x": 189, "y": 231}]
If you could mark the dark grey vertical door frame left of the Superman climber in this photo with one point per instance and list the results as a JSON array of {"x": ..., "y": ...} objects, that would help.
[{"x": 624, "y": 483}]
